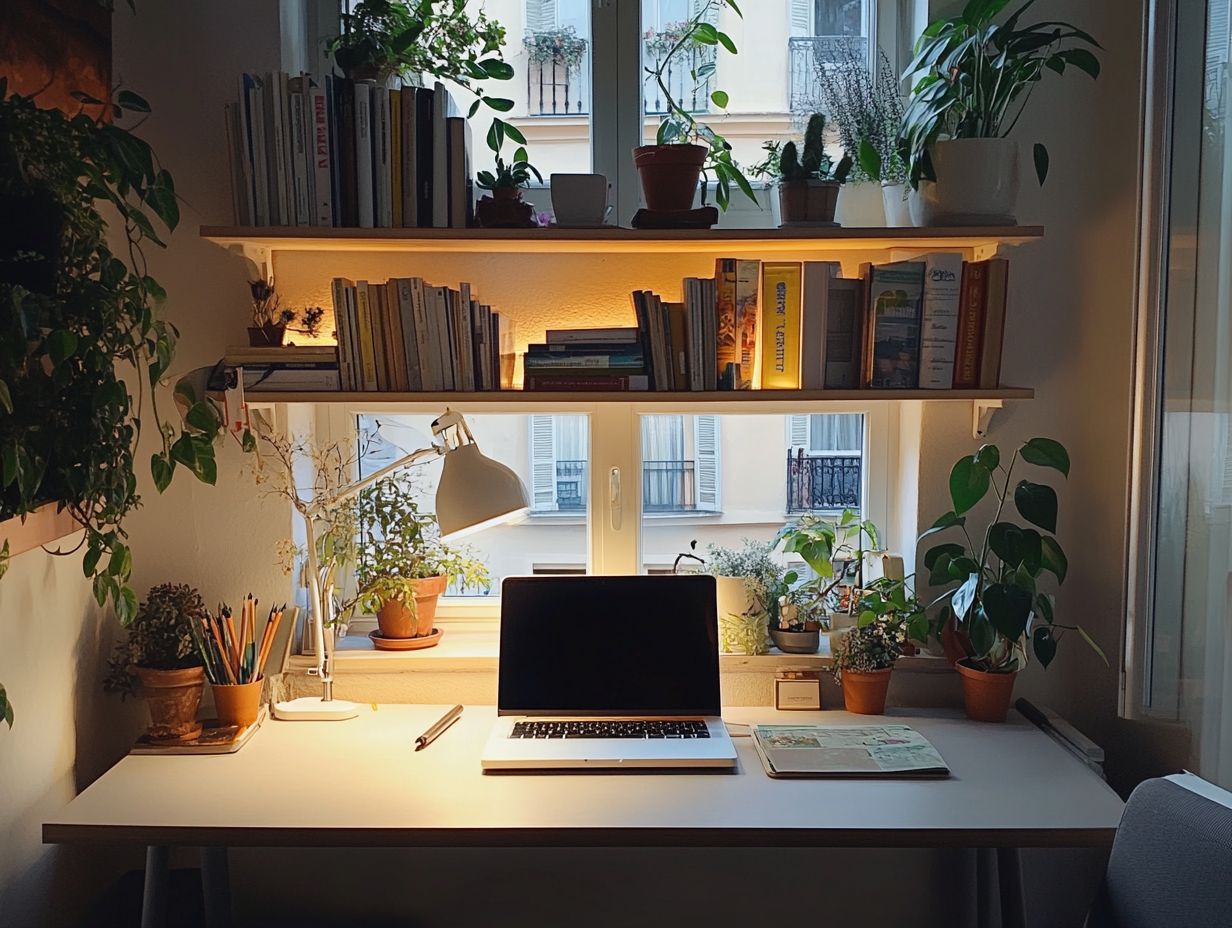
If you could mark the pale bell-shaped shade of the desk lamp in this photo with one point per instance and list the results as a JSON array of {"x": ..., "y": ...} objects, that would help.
[{"x": 476, "y": 492}]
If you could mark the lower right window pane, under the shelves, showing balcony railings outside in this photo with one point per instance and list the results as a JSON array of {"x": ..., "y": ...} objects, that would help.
[{"x": 724, "y": 479}]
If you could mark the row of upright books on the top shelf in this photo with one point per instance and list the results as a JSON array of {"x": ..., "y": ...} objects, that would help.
[{"x": 348, "y": 153}]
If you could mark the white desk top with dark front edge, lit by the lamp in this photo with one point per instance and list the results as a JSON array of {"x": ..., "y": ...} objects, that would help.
[{"x": 360, "y": 783}]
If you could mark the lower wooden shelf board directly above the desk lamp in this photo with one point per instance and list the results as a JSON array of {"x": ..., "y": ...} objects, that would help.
[{"x": 748, "y": 397}]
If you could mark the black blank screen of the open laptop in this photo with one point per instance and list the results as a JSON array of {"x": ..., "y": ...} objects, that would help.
[{"x": 609, "y": 646}]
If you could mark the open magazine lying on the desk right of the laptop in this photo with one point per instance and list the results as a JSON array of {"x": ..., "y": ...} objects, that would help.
[{"x": 873, "y": 751}]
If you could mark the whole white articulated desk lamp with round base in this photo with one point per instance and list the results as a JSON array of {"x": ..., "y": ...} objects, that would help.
[{"x": 474, "y": 494}]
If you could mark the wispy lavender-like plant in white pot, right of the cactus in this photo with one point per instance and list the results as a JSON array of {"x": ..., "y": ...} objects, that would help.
[{"x": 867, "y": 107}]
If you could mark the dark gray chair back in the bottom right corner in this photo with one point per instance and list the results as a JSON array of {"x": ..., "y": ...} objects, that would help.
[{"x": 1172, "y": 860}]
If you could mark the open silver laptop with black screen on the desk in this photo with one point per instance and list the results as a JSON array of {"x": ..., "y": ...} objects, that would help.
[{"x": 608, "y": 672}]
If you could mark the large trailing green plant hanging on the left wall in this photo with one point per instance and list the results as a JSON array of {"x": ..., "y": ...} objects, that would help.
[{"x": 76, "y": 317}]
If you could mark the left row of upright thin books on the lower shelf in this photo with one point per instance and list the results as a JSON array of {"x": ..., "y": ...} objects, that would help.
[{"x": 408, "y": 336}]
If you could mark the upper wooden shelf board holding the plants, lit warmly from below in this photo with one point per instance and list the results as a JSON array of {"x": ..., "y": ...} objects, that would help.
[{"x": 983, "y": 241}]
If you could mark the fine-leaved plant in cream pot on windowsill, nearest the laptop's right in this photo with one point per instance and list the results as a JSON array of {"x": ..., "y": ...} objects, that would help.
[{"x": 750, "y": 585}]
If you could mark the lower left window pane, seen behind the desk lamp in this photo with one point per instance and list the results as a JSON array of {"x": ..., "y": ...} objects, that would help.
[{"x": 548, "y": 452}]
